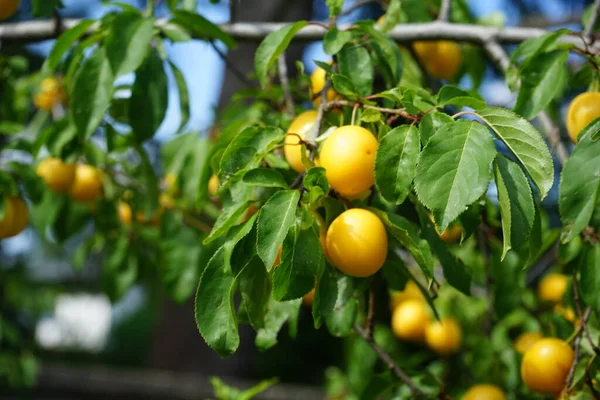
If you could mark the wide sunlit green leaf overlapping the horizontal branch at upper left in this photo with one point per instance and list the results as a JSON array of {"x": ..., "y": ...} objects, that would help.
[{"x": 128, "y": 42}]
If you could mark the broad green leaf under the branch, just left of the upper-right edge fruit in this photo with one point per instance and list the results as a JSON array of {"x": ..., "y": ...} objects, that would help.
[{"x": 542, "y": 80}]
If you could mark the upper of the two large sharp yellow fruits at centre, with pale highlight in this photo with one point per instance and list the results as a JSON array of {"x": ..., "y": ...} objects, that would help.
[{"x": 348, "y": 156}]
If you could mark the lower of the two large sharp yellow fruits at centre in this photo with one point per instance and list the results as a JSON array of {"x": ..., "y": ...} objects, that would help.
[{"x": 357, "y": 243}]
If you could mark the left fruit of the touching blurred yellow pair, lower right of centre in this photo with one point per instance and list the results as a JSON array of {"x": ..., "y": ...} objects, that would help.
[{"x": 409, "y": 320}]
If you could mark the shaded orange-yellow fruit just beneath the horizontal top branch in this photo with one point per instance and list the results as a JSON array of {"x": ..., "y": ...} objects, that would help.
[{"x": 442, "y": 59}]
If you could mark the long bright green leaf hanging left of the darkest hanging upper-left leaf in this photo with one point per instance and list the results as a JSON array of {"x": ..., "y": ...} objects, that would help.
[{"x": 91, "y": 93}]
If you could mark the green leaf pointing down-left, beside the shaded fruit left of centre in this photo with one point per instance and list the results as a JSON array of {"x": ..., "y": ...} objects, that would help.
[{"x": 247, "y": 150}]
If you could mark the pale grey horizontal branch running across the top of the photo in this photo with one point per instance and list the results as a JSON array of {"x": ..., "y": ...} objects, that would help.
[{"x": 39, "y": 30}]
